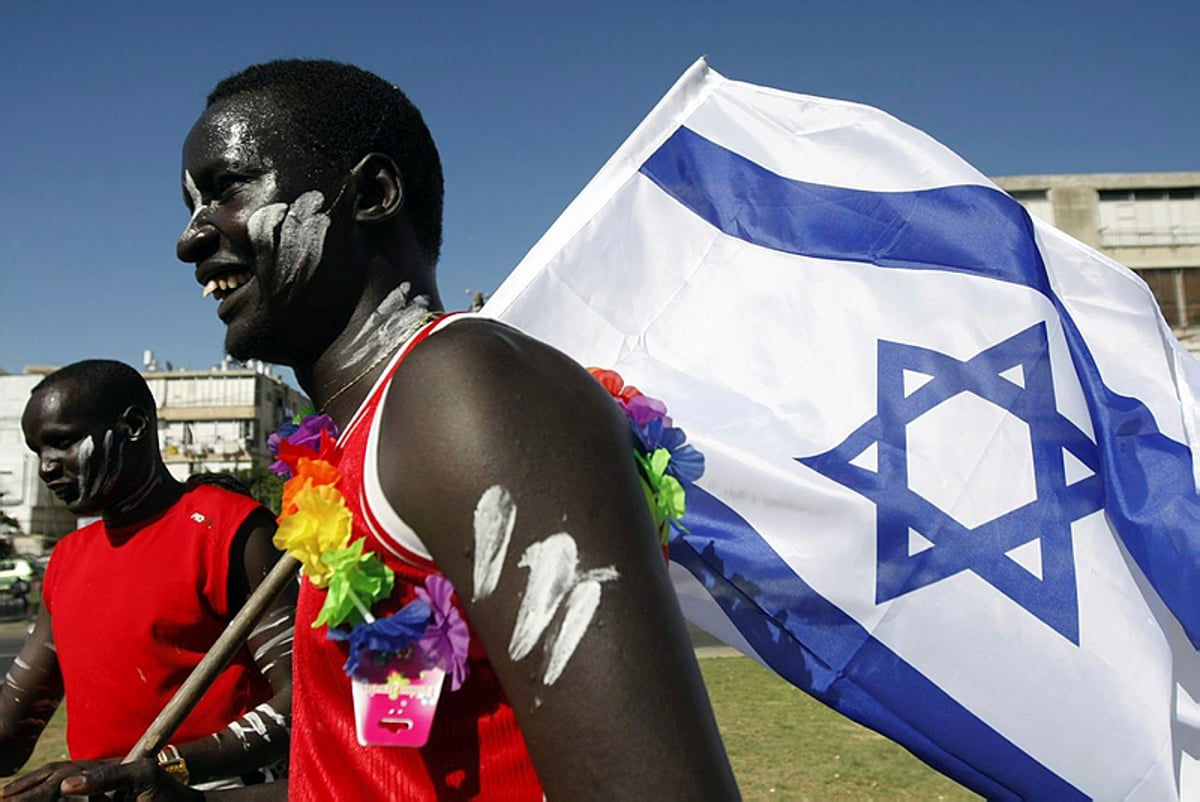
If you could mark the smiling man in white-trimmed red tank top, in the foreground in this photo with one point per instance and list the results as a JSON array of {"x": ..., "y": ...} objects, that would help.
[{"x": 470, "y": 453}]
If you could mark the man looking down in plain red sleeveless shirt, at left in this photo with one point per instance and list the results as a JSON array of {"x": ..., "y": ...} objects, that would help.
[{"x": 134, "y": 601}]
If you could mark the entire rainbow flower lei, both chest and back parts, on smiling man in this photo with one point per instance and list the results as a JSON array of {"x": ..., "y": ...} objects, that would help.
[{"x": 316, "y": 526}]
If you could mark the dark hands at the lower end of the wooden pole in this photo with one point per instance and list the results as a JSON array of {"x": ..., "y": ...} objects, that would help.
[{"x": 142, "y": 781}]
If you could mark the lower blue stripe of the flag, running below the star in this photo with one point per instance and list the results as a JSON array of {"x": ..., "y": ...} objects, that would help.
[{"x": 817, "y": 647}]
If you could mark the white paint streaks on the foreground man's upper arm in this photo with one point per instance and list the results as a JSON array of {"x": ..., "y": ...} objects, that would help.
[{"x": 555, "y": 583}]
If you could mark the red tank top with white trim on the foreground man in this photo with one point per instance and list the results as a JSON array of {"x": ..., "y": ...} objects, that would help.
[{"x": 476, "y": 749}]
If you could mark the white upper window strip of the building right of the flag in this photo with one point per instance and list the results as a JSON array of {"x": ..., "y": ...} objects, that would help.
[{"x": 1141, "y": 218}]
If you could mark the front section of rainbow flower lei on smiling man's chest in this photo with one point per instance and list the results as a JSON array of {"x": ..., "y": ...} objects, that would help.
[{"x": 315, "y": 528}]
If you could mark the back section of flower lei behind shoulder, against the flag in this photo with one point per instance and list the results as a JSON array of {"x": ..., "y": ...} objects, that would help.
[{"x": 668, "y": 465}]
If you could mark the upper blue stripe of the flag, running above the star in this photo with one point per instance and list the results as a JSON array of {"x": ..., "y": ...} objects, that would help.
[{"x": 1150, "y": 493}]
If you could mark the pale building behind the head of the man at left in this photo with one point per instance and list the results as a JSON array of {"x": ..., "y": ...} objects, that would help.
[{"x": 208, "y": 421}]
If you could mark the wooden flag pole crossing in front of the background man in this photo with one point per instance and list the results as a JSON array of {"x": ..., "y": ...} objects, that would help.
[{"x": 203, "y": 675}]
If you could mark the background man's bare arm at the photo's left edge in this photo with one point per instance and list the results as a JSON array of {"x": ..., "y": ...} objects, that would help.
[{"x": 33, "y": 691}]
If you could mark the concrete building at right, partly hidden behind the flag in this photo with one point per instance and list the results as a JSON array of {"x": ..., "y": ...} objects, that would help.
[{"x": 1147, "y": 222}]
